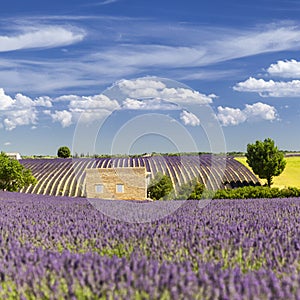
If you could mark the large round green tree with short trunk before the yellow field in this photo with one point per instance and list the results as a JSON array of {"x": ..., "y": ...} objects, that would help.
[{"x": 265, "y": 159}]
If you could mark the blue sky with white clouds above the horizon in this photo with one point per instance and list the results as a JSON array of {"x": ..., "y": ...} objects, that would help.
[{"x": 92, "y": 75}]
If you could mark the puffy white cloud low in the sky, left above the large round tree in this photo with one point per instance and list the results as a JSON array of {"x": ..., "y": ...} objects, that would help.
[{"x": 256, "y": 112}]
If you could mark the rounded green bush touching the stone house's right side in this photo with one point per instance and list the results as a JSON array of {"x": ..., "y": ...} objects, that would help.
[{"x": 160, "y": 187}]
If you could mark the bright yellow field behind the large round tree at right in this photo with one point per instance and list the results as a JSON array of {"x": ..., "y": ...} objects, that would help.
[{"x": 289, "y": 177}]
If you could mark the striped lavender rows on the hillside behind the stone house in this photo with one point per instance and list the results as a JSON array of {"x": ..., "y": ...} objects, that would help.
[{"x": 67, "y": 176}]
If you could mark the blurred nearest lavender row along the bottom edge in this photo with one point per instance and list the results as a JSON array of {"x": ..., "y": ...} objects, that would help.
[{"x": 46, "y": 275}]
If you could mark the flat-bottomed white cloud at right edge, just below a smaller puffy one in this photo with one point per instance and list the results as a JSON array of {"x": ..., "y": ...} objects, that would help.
[{"x": 270, "y": 88}]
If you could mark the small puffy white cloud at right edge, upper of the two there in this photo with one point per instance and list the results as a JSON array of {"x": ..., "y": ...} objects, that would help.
[{"x": 285, "y": 69}]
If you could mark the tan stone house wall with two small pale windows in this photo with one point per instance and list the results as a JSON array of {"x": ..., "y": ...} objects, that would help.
[{"x": 116, "y": 183}]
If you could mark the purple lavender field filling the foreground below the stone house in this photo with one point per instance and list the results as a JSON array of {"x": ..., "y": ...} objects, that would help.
[{"x": 63, "y": 248}]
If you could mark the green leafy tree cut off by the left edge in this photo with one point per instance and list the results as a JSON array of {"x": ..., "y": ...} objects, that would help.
[{"x": 13, "y": 175}]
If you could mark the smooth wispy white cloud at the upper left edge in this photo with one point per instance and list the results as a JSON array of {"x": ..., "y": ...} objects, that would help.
[{"x": 42, "y": 37}]
